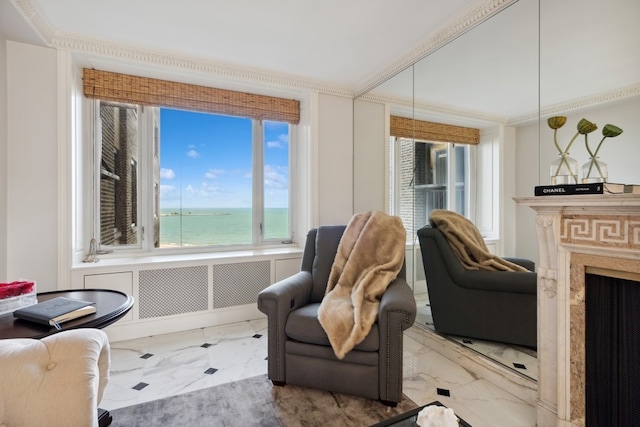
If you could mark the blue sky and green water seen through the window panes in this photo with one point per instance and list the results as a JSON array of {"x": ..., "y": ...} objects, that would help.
[{"x": 207, "y": 193}]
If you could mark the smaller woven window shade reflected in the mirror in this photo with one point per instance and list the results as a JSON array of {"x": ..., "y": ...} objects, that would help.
[{"x": 403, "y": 127}]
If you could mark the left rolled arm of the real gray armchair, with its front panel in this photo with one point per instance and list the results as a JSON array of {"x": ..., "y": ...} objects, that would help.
[{"x": 277, "y": 301}]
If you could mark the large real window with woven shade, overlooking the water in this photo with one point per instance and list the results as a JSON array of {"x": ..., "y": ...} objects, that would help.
[{"x": 177, "y": 165}]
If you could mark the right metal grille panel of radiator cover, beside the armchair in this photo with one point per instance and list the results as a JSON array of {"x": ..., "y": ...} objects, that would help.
[{"x": 240, "y": 283}]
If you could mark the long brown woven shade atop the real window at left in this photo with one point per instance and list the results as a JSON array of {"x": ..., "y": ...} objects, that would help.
[{"x": 162, "y": 93}]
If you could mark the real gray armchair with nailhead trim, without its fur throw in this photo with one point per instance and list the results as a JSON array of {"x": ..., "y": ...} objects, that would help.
[{"x": 299, "y": 351}]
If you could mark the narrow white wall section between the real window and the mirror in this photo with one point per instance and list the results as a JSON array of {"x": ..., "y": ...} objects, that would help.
[{"x": 334, "y": 153}]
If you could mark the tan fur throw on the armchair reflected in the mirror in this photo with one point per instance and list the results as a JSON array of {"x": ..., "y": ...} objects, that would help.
[{"x": 467, "y": 243}]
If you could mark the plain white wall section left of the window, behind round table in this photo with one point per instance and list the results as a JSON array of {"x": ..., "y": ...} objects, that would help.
[{"x": 32, "y": 190}]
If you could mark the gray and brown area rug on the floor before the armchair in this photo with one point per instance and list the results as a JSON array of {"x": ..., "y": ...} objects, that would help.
[{"x": 256, "y": 402}]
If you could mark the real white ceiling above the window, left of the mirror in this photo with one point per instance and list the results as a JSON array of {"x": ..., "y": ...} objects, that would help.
[{"x": 342, "y": 43}]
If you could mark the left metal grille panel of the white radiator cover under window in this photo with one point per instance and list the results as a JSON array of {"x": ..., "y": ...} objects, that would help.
[{"x": 169, "y": 291}]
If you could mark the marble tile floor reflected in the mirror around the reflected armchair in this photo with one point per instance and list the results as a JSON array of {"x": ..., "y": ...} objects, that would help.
[{"x": 520, "y": 359}]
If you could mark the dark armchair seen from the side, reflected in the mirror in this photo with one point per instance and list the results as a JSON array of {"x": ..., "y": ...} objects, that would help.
[{"x": 490, "y": 305}]
